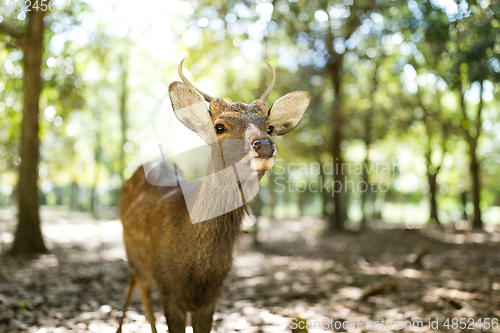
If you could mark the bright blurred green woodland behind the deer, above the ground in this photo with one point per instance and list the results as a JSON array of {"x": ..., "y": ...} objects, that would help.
[{"x": 404, "y": 94}]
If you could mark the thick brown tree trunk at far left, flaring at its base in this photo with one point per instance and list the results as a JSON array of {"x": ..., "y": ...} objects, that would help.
[{"x": 28, "y": 238}]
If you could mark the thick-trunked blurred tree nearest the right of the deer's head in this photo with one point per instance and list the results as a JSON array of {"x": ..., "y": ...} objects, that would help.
[{"x": 325, "y": 29}]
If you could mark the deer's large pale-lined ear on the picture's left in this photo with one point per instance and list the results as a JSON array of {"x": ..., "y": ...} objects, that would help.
[{"x": 190, "y": 108}]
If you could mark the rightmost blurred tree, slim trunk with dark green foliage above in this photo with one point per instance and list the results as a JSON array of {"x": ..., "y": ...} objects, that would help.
[{"x": 475, "y": 53}]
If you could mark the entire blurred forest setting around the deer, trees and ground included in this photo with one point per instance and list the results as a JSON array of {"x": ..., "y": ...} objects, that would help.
[{"x": 403, "y": 131}]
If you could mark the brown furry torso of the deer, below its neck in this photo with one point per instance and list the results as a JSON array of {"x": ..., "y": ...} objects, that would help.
[{"x": 189, "y": 266}]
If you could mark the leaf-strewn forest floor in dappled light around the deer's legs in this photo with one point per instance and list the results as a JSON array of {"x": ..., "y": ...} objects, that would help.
[{"x": 378, "y": 280}]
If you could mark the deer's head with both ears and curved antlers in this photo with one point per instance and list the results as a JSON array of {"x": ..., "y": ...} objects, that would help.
[{"x": 252, "y": 125}]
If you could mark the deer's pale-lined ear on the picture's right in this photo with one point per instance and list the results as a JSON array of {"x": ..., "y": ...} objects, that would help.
[{"x": 287, "y": 112}]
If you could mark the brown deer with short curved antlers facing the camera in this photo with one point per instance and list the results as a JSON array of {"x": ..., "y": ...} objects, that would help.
[{"x": 177, "y": 247}]
